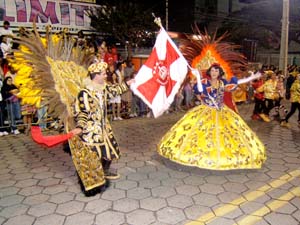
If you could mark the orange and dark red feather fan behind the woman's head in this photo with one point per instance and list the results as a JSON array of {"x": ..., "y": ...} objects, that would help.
[{"x": 202, "y": 50}]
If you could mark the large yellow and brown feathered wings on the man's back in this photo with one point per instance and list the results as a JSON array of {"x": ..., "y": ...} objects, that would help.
[{"x": 56, "y": 70}]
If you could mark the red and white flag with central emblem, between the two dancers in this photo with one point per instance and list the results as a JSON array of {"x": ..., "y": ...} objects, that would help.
[{"x": 160, "y": 78}]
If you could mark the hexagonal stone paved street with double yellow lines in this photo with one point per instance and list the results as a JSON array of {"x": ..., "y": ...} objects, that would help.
[{"x": 38, "y": 185}]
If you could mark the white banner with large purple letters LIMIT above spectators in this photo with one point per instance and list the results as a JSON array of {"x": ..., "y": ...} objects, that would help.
[{"x": 60, "y": 14}]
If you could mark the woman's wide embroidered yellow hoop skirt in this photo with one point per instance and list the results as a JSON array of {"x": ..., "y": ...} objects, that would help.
[{"x": 213, "y": 139}]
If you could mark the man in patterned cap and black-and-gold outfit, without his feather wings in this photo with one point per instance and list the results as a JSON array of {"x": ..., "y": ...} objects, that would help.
[{"x": 94, "y": 129}]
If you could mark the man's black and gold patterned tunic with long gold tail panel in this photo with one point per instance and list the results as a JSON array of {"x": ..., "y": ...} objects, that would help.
[{"x": 96, "y": 140}]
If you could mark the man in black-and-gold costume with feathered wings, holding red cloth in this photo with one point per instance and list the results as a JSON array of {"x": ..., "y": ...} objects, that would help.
[{"x": 74, "y": 91}]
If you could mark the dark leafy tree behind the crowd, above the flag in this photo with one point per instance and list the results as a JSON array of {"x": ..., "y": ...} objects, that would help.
[{"x": 128, "y": 22}]
